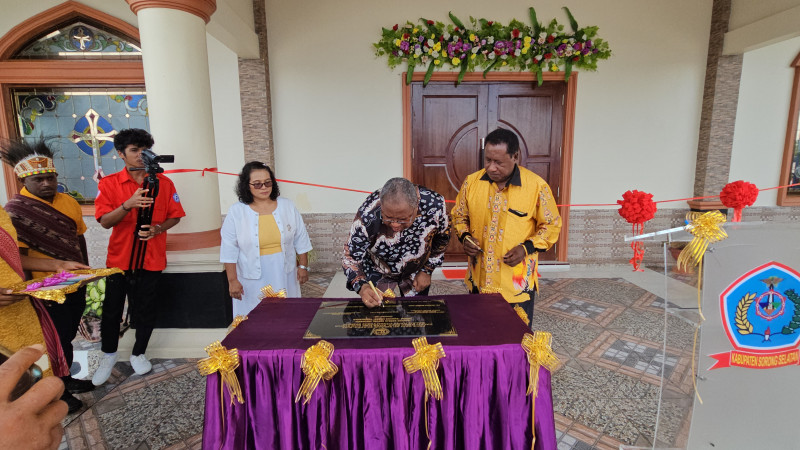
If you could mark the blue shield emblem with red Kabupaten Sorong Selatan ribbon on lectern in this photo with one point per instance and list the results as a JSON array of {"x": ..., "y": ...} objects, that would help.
[{"x": 761, "y": 316}]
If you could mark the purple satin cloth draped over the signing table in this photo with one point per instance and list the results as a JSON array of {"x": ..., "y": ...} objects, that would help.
[{"x": 372, "y": 403}]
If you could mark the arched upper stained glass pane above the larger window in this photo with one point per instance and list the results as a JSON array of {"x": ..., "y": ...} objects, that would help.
[{"x": 81, "y": 41}]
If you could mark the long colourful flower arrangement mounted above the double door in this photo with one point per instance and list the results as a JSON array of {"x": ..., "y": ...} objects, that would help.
[{"x": 489, "y": 45}]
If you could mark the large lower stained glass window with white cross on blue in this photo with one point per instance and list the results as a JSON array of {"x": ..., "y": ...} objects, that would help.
[{"x": 81, "y": 125}]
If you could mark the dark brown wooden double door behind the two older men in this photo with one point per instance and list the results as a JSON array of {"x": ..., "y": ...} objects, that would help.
[{"x": 449, "y": 124}]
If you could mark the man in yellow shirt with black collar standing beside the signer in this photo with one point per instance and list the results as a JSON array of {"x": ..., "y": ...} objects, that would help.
[{"x": 504, "y": 216}]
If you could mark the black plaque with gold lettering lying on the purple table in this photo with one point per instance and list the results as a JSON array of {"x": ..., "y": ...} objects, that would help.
[{"x": 394, "y": 319}]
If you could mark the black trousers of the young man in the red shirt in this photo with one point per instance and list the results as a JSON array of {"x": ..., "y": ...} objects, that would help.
[{"x": 140, "y": 289}]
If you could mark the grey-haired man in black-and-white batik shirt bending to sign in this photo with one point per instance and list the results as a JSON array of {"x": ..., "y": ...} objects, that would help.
[{"x": 397, "y": 239}]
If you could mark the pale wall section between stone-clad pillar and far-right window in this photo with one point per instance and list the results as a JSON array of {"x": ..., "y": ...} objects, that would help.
[{"x": 761, "y": 117}]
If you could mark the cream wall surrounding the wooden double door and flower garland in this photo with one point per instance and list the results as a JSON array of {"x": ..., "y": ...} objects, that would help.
[{"x": 337, "y": 109}]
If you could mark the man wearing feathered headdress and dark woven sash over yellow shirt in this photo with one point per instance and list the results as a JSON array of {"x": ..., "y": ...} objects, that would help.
[{"x": 50, "y": 225}]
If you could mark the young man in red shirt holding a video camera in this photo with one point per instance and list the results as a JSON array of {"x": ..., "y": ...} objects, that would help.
[{"x": 120, "y": 198}]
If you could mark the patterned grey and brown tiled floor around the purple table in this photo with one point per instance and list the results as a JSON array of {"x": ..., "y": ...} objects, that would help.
[{"x": 608, "y": 329}]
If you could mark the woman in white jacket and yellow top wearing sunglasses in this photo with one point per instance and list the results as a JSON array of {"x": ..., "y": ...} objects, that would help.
[{"x": 263, "y": 237}]
